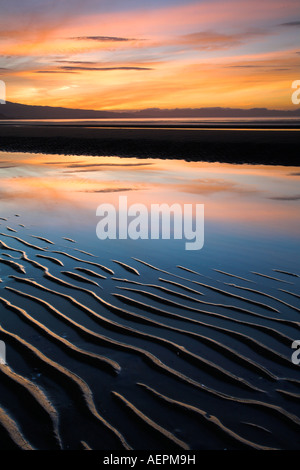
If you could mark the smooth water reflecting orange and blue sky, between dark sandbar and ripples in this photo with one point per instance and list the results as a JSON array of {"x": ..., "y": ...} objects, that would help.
[{"x": 243, "y": 203}]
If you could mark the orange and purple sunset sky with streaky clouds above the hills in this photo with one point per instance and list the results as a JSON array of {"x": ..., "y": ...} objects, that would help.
[{"x": 136, "y": 54}]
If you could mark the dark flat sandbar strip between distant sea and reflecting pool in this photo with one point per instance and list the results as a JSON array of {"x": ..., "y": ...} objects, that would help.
[{"x": 230, "y": 144}]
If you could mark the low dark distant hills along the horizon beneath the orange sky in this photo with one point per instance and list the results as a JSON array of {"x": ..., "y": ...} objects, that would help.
[{"x": 22, "y": 111}]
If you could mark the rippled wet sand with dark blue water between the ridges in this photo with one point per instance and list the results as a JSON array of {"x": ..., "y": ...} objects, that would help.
[{"x": 215, "y": 367}]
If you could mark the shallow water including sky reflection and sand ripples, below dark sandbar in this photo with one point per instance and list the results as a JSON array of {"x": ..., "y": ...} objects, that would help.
[{"x": 215, "y": 336}]
